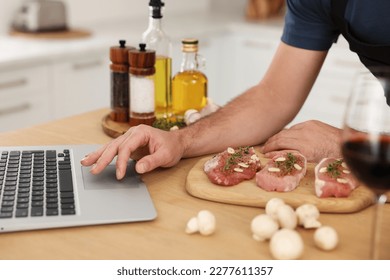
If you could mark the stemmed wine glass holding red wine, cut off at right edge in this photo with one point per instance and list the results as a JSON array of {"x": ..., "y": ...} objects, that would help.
[{"x": 366, "y": 138}]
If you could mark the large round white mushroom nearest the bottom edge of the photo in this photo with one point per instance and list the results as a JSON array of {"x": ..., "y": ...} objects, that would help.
[{"x": 286, "y": 244}]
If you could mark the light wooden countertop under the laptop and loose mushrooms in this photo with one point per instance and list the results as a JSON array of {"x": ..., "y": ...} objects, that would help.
[{"x": 164, "y": 238}]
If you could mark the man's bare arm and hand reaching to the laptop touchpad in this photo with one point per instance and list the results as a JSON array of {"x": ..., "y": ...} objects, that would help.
[{"x": 249, "y": 119}]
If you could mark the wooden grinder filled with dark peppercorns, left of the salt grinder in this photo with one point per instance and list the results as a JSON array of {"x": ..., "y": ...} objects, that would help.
[{"x": 120, "y": 82}]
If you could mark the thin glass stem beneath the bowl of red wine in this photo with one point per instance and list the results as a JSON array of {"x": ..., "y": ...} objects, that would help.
[{"x": 376, "y": 233}]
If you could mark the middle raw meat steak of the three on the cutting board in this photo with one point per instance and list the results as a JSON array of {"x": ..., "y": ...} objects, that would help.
[{"x": 283, "y": 172}]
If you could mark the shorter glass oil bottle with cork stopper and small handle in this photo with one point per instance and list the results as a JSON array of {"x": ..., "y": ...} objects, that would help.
[{"x": 189, "y": 85}]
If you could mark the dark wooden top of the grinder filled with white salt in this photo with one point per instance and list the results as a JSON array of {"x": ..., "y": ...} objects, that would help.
[{"x": 142, "y": 61}]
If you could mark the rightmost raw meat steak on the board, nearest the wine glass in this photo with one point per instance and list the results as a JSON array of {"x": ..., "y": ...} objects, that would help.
[{"x": 333, "y": 178}]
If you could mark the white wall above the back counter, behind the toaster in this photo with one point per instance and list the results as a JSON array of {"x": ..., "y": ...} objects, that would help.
[{"x": 86, "y": 12}]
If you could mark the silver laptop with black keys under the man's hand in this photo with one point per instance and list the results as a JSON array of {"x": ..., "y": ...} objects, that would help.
[{"x": 45, "y": 187}]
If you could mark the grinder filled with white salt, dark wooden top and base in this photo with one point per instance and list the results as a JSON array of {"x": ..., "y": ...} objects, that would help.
[{"x": 141, "y": 73}]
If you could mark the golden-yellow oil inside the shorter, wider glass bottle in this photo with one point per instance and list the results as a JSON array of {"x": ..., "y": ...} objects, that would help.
[{"x": 189, "y": 91}]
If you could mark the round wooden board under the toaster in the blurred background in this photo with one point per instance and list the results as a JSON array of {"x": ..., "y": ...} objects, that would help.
[{"x": 66, "y": 34}]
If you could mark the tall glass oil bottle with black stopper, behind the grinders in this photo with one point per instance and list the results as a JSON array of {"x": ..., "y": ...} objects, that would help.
[{"x": 155, "y": 38}]
